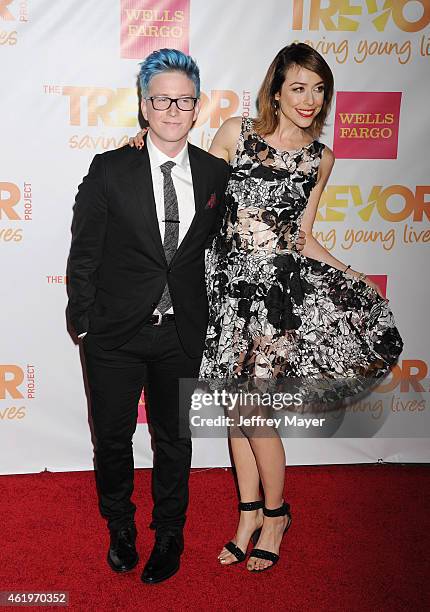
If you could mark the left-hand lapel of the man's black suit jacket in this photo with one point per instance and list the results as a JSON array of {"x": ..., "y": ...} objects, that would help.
[{"x": 144, "y": 199}]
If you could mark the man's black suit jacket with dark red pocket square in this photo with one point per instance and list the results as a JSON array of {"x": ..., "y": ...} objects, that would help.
[{"x": 117, "y": 269}]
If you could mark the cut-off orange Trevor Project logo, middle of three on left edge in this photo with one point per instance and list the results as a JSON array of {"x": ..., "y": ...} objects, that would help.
[{"x": 16, "y": 207}]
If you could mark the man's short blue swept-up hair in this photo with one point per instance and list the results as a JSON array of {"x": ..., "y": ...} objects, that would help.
[{"x": 168, "y": 60}]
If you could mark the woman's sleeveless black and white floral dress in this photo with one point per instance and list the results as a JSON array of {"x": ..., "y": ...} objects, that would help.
[{"x": 273, "y": 312}]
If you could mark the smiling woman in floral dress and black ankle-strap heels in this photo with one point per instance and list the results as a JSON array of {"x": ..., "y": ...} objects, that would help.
[{"x": 274, "y": 312}]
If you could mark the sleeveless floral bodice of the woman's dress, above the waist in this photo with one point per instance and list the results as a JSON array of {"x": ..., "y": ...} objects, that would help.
[{"x": 268, "y": 192}]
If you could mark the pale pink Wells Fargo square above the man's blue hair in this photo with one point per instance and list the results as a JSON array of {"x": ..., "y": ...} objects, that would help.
[{"x": 147, "y": 25}]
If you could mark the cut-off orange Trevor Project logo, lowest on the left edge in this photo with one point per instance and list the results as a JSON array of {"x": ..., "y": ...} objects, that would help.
[{"x": 16, "y": 383}]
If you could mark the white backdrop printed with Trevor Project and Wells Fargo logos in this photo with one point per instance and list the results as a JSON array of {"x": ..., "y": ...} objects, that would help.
[{"x": 68, "y": 91}]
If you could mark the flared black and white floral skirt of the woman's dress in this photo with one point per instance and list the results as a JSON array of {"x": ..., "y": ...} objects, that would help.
[{"x": 285, "y": 315}]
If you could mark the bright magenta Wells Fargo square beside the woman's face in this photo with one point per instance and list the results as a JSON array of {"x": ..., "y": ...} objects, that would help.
[{"x": 367, "y": 124}]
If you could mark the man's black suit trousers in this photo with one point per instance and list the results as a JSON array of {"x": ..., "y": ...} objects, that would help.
[{"x": 156, "y": 359}]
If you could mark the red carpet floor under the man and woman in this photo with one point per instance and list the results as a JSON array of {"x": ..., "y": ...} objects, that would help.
[{"x": 359, "y": 542}]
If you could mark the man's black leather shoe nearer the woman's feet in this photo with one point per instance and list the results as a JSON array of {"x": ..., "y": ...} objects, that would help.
[{"x": 164, "y": 559}]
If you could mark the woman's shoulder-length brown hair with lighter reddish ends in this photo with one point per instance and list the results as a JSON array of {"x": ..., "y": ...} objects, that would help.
[{"x": 296, "y": 54}]
